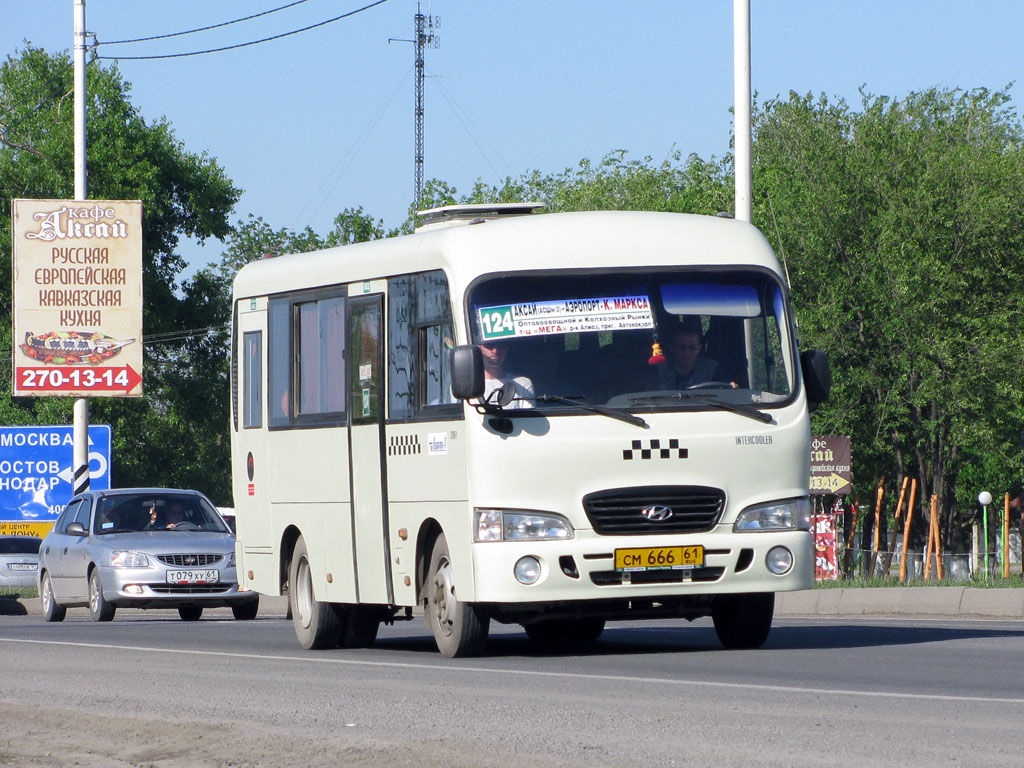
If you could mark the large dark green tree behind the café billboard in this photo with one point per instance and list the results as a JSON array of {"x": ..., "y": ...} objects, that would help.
[{"x": 163, "y": 438}]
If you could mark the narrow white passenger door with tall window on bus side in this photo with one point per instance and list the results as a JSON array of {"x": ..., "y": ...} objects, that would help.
[{"x": 366, "y": 452}]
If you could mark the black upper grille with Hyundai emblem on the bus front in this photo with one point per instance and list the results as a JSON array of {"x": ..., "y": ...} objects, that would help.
[{"x": 619, "y": 513}]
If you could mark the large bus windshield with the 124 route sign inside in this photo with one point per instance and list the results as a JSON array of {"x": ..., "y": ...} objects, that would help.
[{"x": 635, "y": 340}]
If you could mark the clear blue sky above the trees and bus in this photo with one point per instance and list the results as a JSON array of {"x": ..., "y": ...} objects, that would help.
[{"x": 317, "y": 122}]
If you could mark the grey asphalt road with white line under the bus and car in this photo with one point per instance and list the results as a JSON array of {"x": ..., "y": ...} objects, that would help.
[{"x": 150, "y": 691}]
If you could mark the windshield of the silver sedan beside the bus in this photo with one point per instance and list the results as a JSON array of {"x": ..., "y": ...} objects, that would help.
[{"x": 165, "y": 513}]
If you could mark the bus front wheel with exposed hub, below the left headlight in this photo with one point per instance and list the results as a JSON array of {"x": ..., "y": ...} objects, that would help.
[{"x": 459, "y": 628}]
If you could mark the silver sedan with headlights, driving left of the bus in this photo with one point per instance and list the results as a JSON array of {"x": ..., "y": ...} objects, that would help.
[{"x": 141, "y": 548}]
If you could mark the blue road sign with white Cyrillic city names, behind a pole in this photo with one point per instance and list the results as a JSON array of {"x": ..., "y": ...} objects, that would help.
[{"x": 36, "y": 474}]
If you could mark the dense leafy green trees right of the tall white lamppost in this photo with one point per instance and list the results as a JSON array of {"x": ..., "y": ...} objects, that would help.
[{"x": 903, "y": 231}]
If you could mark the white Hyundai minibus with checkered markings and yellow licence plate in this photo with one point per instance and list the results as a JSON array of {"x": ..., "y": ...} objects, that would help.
[{"x": 385, "y": 462}]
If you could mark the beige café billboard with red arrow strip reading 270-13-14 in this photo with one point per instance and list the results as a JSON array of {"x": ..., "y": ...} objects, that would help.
[{"x": 78, "y": 297}]
